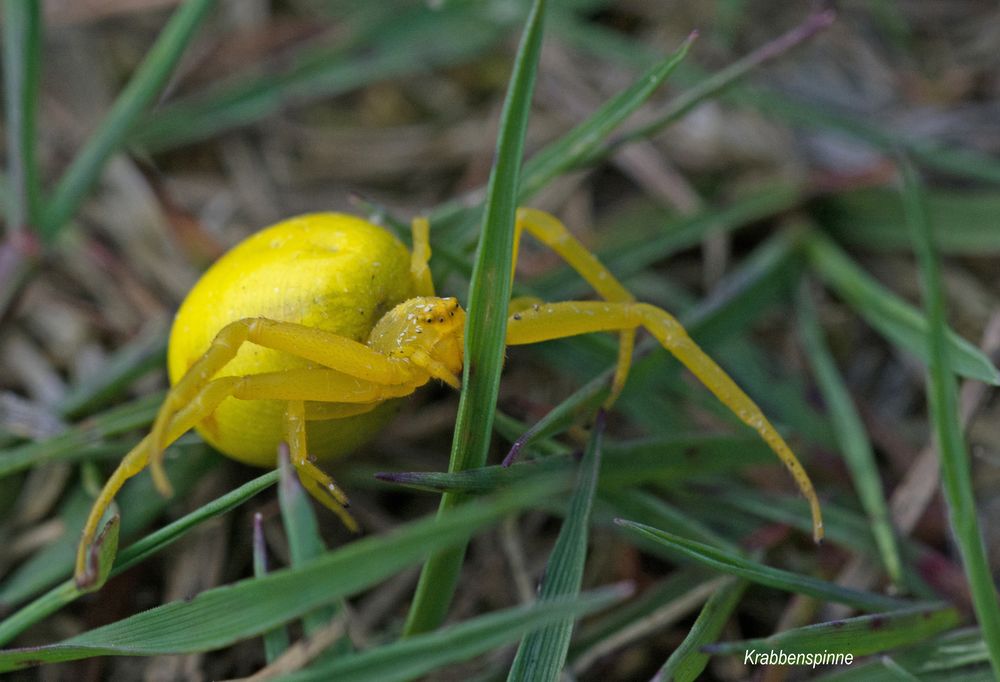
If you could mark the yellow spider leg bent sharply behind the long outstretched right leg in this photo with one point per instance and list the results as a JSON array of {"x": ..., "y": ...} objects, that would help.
[{"x": 547, "y": 229}]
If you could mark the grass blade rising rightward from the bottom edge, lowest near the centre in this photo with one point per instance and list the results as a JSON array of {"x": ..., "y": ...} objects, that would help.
[{"x": 413, "y": 657}]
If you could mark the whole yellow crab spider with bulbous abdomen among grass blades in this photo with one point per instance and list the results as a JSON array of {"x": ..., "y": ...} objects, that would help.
[{"x": 306, "y": 331}]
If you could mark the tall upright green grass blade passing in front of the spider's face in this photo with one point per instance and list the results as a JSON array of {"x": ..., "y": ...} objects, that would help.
[{"x": 489, "y": 294}]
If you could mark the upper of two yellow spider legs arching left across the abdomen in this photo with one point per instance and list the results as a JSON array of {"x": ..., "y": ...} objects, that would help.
[{"x": 325, "y": 348}]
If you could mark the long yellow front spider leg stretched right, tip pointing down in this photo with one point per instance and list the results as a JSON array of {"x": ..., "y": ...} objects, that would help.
[{"x": 559, "y": 320}]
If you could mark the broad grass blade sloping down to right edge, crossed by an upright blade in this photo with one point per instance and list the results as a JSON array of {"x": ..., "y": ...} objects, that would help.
[{"x": 899, "y": 322}]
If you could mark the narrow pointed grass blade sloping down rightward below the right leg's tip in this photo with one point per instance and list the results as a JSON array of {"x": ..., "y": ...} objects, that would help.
[{"x": 734, "y": 564}]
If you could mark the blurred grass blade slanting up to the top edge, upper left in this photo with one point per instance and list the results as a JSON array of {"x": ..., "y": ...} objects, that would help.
[{"x": 147, "y": 82}]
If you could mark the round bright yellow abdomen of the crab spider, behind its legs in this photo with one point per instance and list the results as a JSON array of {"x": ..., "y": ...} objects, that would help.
[{"x": 330, "y": 271}]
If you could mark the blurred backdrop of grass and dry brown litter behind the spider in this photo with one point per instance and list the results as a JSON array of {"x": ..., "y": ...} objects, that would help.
[{"x": 757, "y": 196}]
